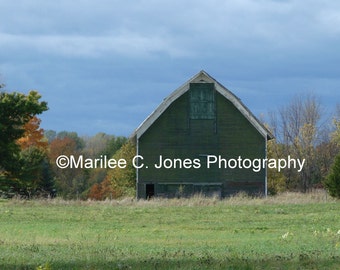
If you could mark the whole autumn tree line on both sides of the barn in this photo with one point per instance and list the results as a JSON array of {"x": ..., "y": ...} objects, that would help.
[{"x": 28, "y": 153}]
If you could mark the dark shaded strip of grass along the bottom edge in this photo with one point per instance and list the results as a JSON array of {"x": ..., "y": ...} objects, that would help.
[{"x": 204, "y": 263}]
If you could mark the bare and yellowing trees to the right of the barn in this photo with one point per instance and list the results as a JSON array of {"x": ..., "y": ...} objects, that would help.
[{"x": 302, "y": 130}]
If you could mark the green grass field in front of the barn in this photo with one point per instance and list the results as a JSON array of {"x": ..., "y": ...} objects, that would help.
[{"x": 292, "y": 231}]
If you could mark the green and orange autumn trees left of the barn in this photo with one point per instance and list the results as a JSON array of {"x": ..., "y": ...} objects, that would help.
[{"x": 28, "y": 154}]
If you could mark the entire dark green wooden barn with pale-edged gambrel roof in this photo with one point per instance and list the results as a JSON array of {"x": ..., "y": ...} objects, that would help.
[{"x": 195, "y": 142}]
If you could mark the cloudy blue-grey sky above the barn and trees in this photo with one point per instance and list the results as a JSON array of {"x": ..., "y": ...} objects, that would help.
[{"x": 105, "y": 65}]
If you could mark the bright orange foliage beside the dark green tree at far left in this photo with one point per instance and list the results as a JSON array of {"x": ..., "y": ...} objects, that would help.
[{"x": 33, "y": 136}]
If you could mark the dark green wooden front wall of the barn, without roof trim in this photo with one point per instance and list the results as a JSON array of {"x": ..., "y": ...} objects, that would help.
[{"x": 175, "y": 135}]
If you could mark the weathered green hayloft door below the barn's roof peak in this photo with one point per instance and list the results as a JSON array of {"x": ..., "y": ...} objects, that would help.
[{"x": 202, "y": 101}]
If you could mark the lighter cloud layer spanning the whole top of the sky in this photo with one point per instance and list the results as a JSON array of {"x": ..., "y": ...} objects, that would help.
[{"x": 174, "y": 28}]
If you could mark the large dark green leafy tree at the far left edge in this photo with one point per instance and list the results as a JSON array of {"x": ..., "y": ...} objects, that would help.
[{"x": 16, "y": 110}]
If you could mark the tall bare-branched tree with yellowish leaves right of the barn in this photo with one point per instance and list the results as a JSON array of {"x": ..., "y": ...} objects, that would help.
[{"x": 297, "y": 128}]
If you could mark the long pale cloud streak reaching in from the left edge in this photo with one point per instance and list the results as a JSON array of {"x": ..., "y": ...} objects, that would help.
[{"x": 124, "y": 44}]
